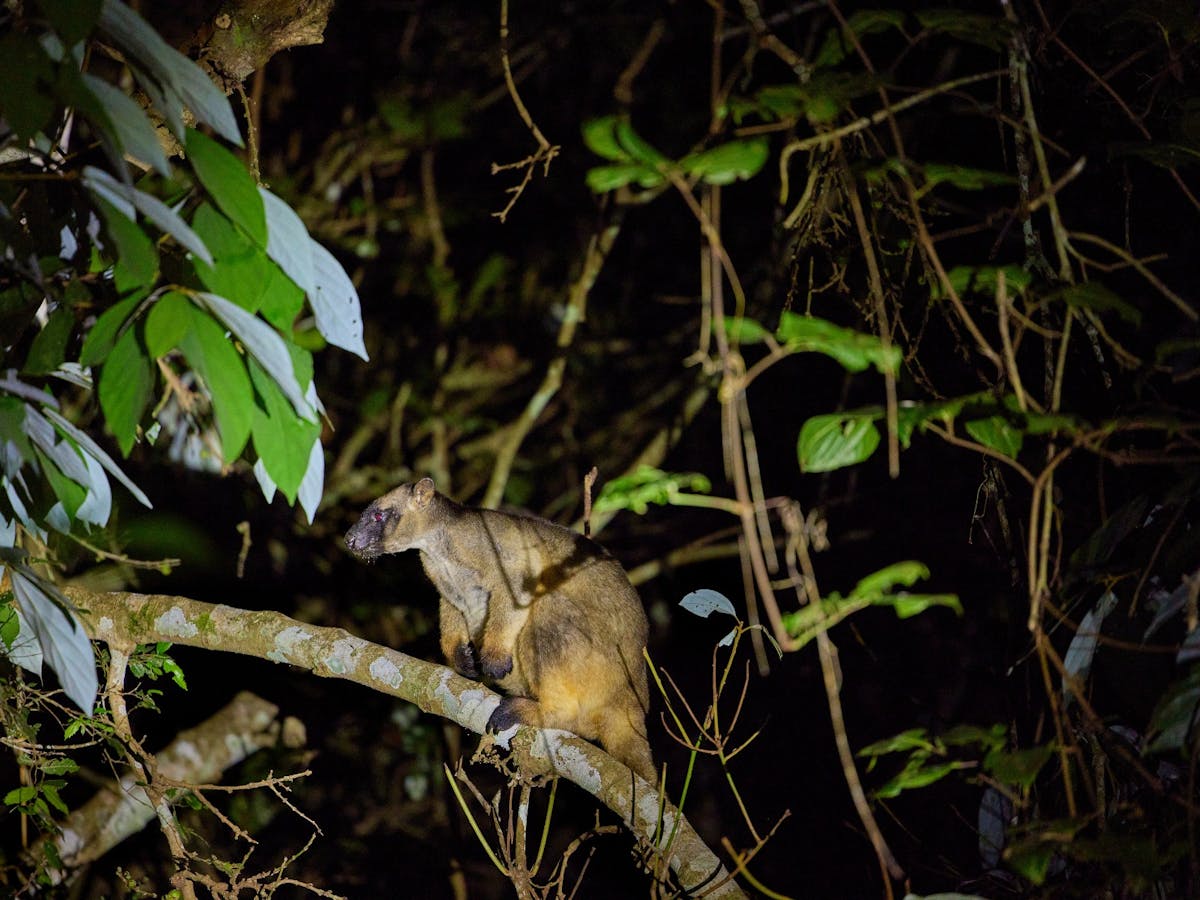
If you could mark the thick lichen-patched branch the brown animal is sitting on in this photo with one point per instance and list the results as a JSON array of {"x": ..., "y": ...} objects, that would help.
[{"x": 335, "y": 653}]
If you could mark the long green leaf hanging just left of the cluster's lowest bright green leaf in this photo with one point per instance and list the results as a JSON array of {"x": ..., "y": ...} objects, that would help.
[{"x": 214, "y": 358}]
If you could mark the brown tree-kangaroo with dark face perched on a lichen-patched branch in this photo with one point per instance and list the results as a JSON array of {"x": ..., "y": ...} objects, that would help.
[{"x": 543, "y": 613}]
